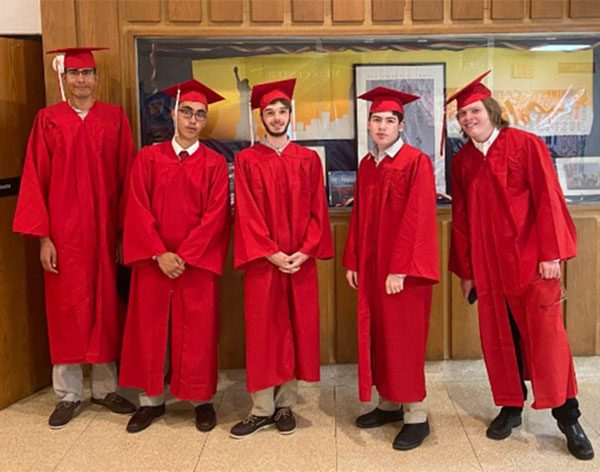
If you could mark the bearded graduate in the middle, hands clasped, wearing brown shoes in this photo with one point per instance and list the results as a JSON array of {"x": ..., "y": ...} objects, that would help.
[{"x": 281, "y": 227}]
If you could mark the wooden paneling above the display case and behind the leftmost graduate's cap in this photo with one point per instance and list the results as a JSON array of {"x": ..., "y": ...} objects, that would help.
[{"x": 116, "y": 23}]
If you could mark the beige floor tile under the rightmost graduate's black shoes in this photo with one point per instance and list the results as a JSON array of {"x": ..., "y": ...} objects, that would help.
[{"x": 537, "y": 445}]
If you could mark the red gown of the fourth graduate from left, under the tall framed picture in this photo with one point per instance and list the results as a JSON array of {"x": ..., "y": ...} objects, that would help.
[{"x": 393, "y": 230}]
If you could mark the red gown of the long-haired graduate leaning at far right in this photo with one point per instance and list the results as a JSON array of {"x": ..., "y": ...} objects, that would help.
[{"x": 509, "y": 214}]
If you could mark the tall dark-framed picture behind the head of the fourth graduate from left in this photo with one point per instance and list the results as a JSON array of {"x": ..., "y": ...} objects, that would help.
[{"x": 423, "y": 119}]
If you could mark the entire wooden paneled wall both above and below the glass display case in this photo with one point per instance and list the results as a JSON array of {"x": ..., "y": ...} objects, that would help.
[{"x": 454, "y": 328}]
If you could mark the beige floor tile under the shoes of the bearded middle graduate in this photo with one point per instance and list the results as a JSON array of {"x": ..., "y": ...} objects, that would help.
[{"x": 310, "y": 448}]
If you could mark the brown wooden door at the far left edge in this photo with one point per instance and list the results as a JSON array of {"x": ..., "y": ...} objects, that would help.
[{"x": 24, "y": 356}]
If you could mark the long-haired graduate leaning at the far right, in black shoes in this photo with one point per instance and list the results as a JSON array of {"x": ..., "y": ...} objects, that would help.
[{"x": 510, "y": 230}]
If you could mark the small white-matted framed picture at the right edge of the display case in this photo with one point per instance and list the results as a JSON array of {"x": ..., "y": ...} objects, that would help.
[{"x": 579, "y": 176}]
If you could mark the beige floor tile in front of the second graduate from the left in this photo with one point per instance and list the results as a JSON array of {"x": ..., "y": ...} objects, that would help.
[{"x": 171, "y": 443}]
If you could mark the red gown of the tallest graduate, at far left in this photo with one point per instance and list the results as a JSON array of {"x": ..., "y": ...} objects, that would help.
[{"x": 72, "y": 191}]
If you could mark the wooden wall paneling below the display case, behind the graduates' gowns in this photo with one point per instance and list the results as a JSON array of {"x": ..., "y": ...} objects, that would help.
[{"x": 454, "y": 328}]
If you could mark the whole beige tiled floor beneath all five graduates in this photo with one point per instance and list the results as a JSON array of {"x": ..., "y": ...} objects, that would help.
[{"x": 326, "y": 440}]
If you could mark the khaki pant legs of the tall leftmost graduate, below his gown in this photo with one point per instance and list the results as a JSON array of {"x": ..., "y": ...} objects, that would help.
[{"x": 67, "y": 381}]
